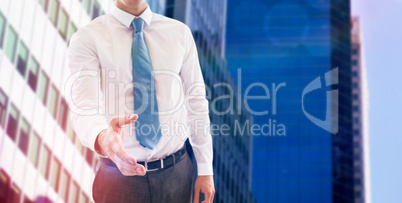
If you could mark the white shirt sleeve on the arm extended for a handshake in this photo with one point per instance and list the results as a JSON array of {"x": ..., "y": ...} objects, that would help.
[{"x": 83, "y": 92}]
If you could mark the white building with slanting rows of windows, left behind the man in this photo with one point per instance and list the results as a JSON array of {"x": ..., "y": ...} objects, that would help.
[{"x": 41, "y": 159}]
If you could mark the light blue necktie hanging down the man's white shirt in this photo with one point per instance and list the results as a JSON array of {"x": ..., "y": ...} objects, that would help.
[{"x": 145, "y": 104}]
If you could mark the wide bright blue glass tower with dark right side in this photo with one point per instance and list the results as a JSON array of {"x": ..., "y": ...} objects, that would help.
[{"x": 297, "y": 55}]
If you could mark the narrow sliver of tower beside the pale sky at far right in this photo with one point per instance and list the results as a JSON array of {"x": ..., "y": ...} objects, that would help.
[{"x": 360, "y": 118}]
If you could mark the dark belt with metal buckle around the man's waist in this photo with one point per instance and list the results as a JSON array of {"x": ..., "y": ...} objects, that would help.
[{"x": 166, "y": 162}]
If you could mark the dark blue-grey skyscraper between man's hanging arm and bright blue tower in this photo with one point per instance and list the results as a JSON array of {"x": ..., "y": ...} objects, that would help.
[{"x": 232, "y": 152}]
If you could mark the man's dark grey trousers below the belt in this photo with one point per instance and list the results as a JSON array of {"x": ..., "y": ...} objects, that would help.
[{"x": 173, "y": 184}]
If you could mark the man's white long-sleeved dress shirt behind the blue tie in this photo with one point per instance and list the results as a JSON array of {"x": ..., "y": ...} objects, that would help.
[{"x": 100, "y": 85}]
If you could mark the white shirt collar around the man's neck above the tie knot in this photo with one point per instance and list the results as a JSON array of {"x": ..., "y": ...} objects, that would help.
[{"x": 126, "y": 18}]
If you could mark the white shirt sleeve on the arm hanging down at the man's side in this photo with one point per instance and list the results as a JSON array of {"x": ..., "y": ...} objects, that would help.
[{"x": 197, "y": 107}]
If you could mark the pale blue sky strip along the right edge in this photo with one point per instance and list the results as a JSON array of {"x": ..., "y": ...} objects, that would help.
[{"x": 381, "y": 29}]
